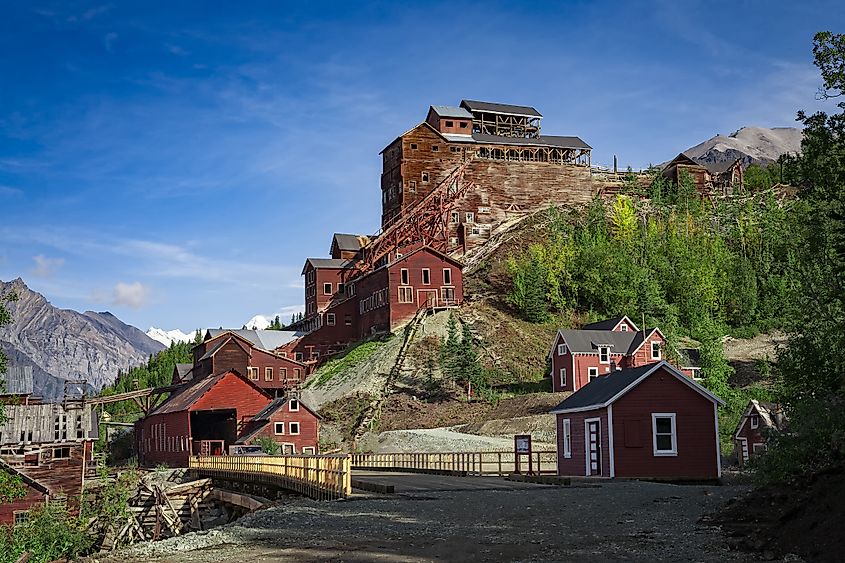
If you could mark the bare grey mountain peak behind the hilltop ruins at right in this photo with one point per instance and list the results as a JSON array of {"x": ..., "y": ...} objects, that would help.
[{"x": 754, "y": 145}]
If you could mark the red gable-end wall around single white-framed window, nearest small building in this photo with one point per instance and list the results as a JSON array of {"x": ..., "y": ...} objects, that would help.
[{"x": 695, "y": 422}]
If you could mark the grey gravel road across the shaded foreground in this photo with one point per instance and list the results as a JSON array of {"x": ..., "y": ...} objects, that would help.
[{"x": 622, "y": 521}]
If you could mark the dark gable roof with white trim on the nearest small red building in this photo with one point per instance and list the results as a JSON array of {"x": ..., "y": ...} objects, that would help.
[{"x": 607, "y": 389}]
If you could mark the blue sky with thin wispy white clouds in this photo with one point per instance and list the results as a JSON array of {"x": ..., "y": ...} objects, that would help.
[{"x": 175, "y": 162}]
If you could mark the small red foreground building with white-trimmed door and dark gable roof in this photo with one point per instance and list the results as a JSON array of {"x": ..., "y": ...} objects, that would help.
[{"x": 651, "y": 422}]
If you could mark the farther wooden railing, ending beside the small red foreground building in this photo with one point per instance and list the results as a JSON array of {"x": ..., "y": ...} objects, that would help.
[{"x": 470, "y": 463}]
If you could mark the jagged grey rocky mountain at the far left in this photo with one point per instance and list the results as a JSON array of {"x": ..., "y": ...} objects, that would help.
[{"x": 62, "y": 344}]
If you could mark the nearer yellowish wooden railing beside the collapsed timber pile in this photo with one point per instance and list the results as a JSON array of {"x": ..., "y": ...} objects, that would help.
[{"x": 321, "y": 477}]
